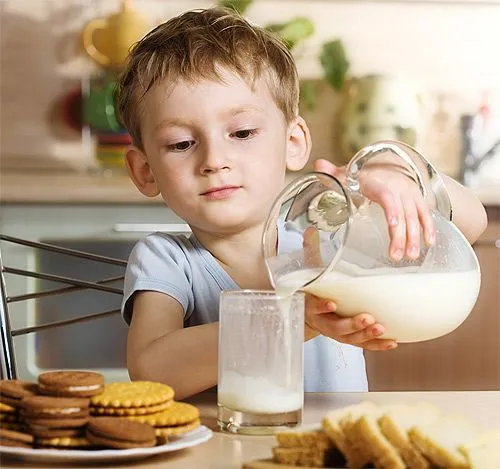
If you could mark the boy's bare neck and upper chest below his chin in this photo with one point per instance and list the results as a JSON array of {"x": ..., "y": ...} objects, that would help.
[{"x": 240, "y": 255}]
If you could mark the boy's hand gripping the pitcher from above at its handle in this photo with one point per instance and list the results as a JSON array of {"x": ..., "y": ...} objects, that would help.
[{"x": 404, "y": 206}]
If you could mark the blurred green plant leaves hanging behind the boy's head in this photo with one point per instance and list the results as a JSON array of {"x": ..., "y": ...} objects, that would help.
[{"x": 332, "y": 57}]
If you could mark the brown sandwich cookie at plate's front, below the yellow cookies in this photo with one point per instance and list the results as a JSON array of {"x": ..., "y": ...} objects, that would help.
[{"x": 120, "y": 433}]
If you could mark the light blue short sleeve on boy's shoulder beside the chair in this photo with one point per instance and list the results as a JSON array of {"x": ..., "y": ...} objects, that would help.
[{"x": 158, "y": 263}]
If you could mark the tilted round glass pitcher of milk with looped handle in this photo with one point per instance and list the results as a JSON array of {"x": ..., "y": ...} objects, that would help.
[{"x": 334, "y": 243}]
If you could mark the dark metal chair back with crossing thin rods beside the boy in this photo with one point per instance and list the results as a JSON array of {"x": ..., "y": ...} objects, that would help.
[{"x": 8, "y": 369}]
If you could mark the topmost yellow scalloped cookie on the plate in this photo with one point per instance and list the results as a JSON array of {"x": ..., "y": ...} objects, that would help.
[{"x": 133, "y": 394}]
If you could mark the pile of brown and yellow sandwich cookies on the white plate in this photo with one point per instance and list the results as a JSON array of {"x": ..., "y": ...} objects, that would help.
[{"x": 75, "y": 409}]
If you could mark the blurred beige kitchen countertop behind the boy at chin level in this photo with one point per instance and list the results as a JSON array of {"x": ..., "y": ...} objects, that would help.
[{"x": 97, "y": 188}]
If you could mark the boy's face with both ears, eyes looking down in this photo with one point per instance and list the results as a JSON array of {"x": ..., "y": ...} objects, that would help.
[{"x": 217, "y": 152}]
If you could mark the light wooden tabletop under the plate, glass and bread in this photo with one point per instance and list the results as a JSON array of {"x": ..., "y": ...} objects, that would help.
[{"x": 225, "y": 451}]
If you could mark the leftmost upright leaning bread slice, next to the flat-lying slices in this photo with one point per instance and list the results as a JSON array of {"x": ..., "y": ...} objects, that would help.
[{"x": 337, "y": 421}]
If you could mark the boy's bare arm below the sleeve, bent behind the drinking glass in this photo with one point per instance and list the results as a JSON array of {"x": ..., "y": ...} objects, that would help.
[{"x": 160, "y": 349}]
